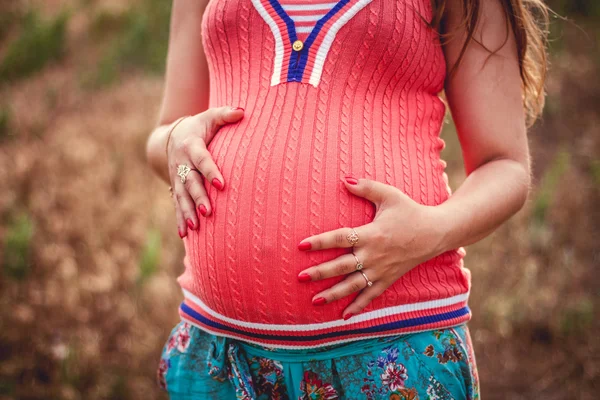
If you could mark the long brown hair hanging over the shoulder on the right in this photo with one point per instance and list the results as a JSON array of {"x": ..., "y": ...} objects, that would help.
[{"x": 529, "y": 22}]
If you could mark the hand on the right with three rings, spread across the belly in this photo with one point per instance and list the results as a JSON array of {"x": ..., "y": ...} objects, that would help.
[{"x": 402, "y": 235}]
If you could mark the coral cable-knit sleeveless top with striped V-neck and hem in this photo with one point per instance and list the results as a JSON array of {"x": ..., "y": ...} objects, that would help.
[{"x": 329, "y": 89}]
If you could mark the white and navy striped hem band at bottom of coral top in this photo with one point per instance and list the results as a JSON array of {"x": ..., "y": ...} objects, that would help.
[{"x": 406, "y": 318}]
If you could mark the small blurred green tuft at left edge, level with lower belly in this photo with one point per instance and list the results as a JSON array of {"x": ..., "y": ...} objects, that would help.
[{"x": 17, "y": 247}]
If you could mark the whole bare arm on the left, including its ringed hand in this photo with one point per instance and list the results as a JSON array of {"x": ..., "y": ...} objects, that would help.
[{"x": 186, "y": 93}]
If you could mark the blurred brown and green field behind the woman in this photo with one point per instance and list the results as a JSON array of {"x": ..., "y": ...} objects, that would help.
[{"x": 89, "y": 251}]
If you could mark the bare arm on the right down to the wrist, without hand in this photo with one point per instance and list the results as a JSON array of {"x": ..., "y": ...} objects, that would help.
[{"x": 485, "y": 100}]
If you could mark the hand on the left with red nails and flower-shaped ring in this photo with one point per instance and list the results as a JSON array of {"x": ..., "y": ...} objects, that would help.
[{"x": 188, "y": 145}]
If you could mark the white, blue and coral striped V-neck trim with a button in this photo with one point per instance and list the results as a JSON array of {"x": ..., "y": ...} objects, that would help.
[{"x": 315, "y": 23}]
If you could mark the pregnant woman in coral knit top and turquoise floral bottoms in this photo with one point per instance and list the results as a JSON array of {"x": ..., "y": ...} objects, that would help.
[{"x": 323, "y": 248}]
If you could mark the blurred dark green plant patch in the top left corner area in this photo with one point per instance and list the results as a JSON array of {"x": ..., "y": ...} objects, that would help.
[{"x": 39, "y": 43}]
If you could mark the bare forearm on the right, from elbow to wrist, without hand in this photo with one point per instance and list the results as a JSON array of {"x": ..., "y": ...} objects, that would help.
[{"x": 488, "y": 197}]
